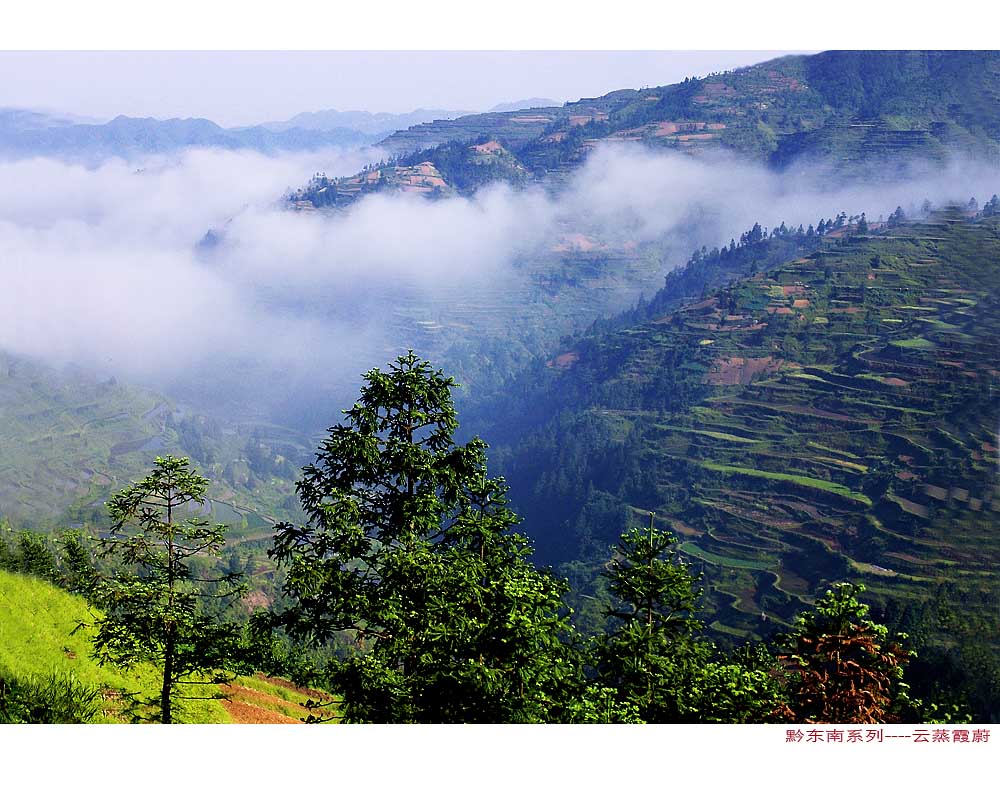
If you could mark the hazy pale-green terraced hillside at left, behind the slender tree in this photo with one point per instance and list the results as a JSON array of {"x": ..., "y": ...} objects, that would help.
[{"x": 68, "y": 439}]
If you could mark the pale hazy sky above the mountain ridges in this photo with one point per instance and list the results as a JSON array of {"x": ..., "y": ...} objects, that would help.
[{"x": 236, "y": 88}]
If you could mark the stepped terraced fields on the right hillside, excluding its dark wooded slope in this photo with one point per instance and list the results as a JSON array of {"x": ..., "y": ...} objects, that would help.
[{"x": 879, "y": 460}]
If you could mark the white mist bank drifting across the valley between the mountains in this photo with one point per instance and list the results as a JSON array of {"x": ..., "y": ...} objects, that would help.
[{"x": 102, "y": 266}]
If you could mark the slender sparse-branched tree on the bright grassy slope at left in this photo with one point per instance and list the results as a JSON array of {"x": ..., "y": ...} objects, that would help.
[{"x": 153, "y": 604}]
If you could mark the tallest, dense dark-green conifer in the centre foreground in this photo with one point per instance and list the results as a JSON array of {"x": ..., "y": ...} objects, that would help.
[{"x": 409, "y": 551}]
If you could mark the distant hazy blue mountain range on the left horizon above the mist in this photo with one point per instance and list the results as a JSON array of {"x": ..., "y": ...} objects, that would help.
[{"x": 27, "y": 136}]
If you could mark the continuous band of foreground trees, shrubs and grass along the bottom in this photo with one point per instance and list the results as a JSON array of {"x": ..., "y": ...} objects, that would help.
[{"x": 419, "y": 603}]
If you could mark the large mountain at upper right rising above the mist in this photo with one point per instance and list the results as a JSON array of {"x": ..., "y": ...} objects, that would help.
[{"x": 847, "y": 110}]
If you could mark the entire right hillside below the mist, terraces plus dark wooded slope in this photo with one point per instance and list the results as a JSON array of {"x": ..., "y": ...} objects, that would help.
[{"x": 832, "y": 417}]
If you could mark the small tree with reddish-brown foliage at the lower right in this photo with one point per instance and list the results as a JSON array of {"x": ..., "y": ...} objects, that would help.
[{"x": 844, "y": 668}]
